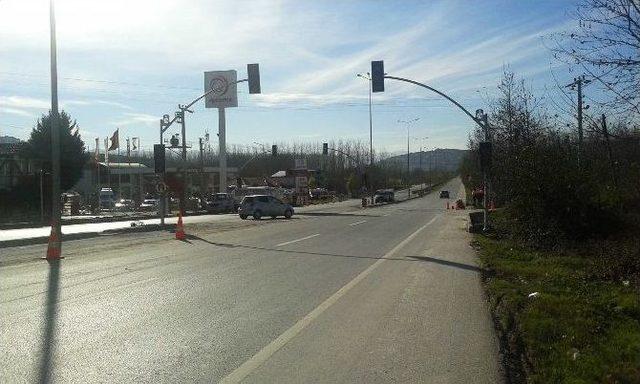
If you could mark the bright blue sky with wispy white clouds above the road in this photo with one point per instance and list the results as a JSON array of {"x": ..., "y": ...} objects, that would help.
[{"x": 124, "y": 64}]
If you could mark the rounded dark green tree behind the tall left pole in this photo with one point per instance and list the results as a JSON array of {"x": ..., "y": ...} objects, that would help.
[{"x": 72, "y": 151}]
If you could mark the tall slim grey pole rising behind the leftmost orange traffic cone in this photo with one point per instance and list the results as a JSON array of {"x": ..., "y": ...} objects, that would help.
[{"x": 55, "y": 134}]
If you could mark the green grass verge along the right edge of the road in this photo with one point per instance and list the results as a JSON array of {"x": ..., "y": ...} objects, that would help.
[{"x": 578, "y": 328}]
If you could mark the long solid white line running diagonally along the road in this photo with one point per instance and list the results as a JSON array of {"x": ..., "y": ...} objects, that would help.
[{"x": 265, "y": 353}]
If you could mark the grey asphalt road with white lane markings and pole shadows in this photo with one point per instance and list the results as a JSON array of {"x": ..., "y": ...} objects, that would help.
[{"x": 388, "y": 294}]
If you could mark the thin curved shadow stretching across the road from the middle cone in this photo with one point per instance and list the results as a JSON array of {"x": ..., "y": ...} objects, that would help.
[{"x": 412, "y": 259}]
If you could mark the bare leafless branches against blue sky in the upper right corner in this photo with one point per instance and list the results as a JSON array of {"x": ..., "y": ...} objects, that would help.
[{"x": 606, "y": 45}]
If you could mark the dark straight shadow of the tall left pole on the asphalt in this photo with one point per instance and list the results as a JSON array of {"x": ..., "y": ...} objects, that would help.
[{"x": 49, "y": 331}]
